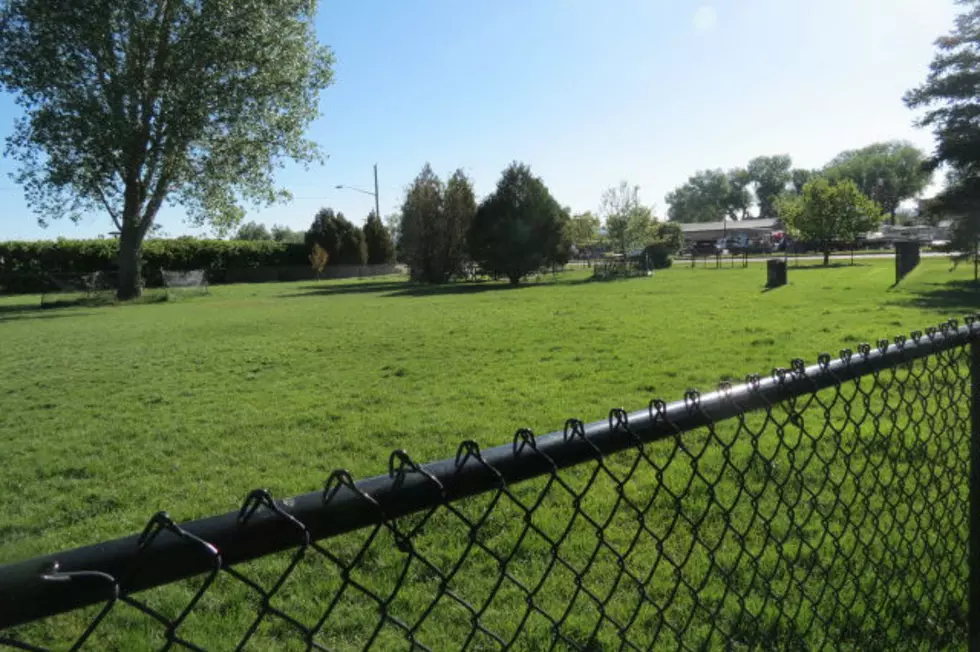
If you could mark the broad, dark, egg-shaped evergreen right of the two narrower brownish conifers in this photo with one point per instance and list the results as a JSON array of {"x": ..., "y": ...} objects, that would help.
[{"x": 519, "y": 228}]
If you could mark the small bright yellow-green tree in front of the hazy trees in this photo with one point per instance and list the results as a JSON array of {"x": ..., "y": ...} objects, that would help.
[{"x": 827, "y": 211}]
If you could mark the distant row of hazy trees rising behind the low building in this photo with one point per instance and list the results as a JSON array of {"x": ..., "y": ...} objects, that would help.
[{"x": 888, "y": 173}]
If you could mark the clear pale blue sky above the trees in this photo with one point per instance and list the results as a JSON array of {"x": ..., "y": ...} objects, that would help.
[{"x": 588, "y": 92}]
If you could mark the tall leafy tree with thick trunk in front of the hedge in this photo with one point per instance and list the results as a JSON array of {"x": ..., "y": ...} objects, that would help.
[{"x": 129, "y": 103}]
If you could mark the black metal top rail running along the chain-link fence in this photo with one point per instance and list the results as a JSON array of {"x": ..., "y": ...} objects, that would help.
[{"x": 167, "y": 552}]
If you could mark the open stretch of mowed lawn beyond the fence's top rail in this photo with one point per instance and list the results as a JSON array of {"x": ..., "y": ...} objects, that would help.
[{"x": 110, "y": 414}]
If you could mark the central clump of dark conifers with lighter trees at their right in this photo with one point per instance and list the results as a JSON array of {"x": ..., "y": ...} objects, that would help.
[{"x": 518, "y": 229}]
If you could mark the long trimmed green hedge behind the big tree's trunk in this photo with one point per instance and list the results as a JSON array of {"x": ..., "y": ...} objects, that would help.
[{"x": 22, "y": 264}]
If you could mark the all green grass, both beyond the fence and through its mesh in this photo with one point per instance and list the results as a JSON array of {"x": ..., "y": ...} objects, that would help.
[{"x": 113, "y": 413}]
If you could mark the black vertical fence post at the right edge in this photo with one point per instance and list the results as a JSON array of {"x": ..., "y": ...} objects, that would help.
[{"x": 973, "y": 608}]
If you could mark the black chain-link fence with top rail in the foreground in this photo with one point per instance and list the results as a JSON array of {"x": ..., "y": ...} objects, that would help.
[{"x": 821, "y": 507}]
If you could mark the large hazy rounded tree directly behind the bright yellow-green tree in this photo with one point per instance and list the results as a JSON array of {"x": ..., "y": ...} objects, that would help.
[{"x": 888, "y": 173}]
